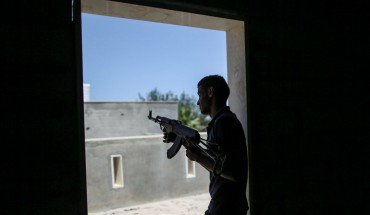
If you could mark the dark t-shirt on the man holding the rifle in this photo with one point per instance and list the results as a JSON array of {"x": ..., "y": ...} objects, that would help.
[{"x": 228, "y": 197}]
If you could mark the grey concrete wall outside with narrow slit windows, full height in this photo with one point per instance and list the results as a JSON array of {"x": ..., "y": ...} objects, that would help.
[{"x": 147, "y": 173}]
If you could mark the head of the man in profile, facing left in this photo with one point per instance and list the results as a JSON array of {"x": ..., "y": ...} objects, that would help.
[{"x": 212, "y": 90}]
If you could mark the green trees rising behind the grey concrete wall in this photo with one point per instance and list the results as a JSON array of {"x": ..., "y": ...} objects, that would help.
[{"x": 189, "y": 113}]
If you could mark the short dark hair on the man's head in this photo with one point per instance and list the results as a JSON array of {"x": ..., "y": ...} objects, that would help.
[{"x": 221, "y": 88}]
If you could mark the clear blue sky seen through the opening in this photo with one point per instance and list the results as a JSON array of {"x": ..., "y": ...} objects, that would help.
[{"x": 124, "y": 57}]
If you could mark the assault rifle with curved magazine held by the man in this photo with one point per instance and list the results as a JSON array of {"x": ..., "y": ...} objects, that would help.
[{"x": 189, "y": 137}]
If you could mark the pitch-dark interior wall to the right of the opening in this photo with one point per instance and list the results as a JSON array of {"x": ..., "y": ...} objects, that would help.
[{"x": 307, "y": 107}]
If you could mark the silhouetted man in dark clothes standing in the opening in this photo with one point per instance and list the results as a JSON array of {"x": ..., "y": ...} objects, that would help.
[{"x": 228, "y": 174}]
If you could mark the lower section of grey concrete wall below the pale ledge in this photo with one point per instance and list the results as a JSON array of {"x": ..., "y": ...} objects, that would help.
[{"x": 147, "y": 173}]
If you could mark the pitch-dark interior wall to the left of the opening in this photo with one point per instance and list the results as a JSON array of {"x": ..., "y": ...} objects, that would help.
[{"x": 42, "y": 153}]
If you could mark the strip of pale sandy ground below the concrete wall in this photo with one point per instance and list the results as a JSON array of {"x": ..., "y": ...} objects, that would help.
[{"x": 191, "y": 205}]
